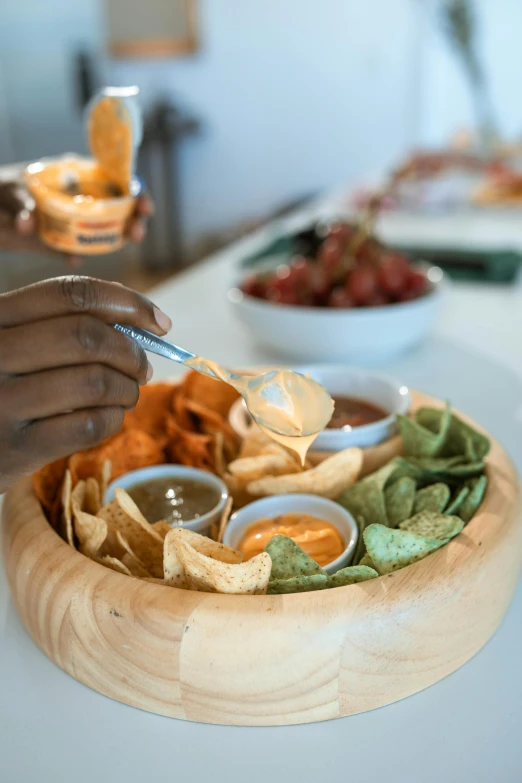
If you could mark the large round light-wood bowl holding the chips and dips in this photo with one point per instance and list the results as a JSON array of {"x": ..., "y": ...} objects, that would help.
[{"x": 267, "y": 660}]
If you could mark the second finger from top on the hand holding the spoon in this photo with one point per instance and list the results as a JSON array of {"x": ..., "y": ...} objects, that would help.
[{"x": 70, "y": 341}]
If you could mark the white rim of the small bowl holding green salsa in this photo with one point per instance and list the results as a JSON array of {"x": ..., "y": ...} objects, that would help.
[{"x": 200, "y": 524}]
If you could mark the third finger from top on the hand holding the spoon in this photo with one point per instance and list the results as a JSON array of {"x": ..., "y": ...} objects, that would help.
[{"x": 53, "y": 392}]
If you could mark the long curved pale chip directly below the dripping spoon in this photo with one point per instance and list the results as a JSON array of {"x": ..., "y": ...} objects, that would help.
[{"x": 329, "y": 479}]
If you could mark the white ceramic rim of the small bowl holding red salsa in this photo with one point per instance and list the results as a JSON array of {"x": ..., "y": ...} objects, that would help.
[{"x": 366, "y": 385}]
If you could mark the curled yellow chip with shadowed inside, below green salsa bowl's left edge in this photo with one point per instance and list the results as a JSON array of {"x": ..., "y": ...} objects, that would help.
[{"x": 146, "y": 543}]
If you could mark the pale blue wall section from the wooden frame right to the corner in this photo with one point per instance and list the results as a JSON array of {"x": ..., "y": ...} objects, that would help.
[{"x": 295, "y": 95}]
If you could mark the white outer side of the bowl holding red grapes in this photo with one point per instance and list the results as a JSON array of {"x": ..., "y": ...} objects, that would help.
[{"x": 364, "y": 336}]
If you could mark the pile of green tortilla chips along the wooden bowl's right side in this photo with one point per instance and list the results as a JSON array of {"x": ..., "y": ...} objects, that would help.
[{"x": 421, "y": 500}]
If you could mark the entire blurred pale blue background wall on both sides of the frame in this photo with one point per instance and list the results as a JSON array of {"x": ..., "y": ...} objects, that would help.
[{"x": 292, "y": 96}]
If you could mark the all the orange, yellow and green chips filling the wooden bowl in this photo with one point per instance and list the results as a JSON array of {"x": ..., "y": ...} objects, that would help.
[{"x": 405, "y": 510}]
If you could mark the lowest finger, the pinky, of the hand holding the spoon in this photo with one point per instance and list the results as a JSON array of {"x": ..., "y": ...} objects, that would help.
[{"x": 60, "y": 436}]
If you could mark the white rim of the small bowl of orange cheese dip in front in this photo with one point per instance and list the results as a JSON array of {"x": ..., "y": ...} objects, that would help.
[{"x": 286, "y": 504}]
